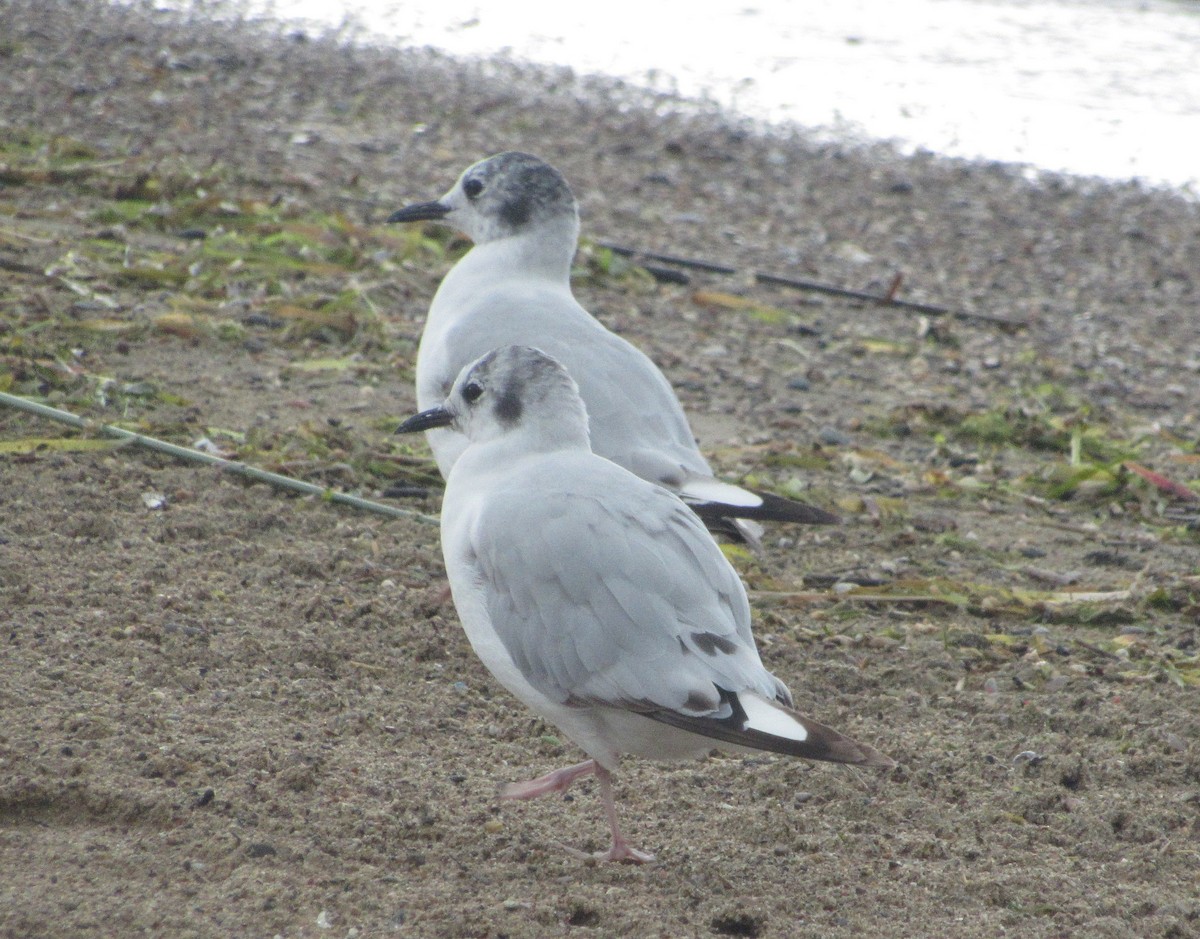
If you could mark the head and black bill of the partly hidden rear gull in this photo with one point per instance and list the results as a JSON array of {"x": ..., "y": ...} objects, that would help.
[{"x": 503, "y": 196}]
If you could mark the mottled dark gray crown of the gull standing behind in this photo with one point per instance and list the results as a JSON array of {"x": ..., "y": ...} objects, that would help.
[{"x": 518, "y": 189}]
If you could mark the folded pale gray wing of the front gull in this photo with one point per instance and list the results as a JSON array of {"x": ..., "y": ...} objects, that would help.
[{"x": 616, "y": 596}]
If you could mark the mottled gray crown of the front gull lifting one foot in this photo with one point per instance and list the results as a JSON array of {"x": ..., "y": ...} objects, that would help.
[{"x": 519, "y": 379}]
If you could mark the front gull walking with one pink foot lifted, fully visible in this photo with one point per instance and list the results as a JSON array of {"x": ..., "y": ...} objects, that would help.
[{"x": 596, "y": 597}]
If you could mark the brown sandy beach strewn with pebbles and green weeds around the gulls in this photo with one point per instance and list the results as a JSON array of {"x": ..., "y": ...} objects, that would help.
[{"x": 233, "y": 711}]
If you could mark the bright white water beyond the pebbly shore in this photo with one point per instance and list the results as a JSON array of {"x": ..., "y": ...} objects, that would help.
[{"x": 1107, "y": 88}]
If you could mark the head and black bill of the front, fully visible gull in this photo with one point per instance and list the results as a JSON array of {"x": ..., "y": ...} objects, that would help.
[{"x": 512, "y": 391}]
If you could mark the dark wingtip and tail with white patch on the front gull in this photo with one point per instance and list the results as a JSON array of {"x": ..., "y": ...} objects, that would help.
[{"x": 751, "y": 721}]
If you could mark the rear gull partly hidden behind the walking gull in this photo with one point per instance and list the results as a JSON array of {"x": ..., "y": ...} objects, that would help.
[{"x": 514, "y": 288}]
